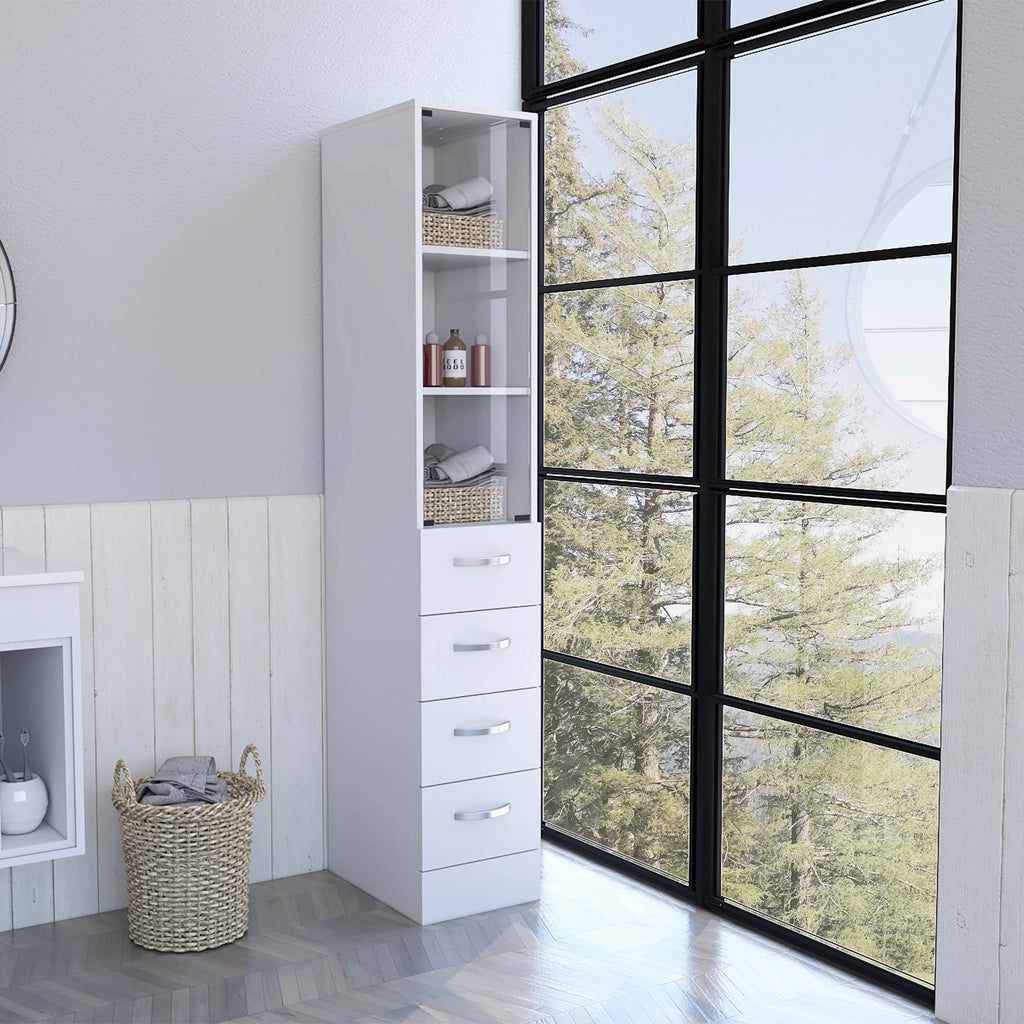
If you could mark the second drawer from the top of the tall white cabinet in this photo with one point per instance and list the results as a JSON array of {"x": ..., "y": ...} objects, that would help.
[{"x": 480, "y": 653}]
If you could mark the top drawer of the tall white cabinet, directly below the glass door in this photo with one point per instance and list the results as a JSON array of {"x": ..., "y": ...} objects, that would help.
[{"x": 463, "y": 569}]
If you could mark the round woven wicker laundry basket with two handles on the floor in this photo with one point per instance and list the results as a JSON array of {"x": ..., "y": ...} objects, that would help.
[{"x": 188, "y": 868}]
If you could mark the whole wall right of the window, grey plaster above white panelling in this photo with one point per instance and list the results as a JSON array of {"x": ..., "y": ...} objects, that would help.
[{"x": 980, "y": 954}]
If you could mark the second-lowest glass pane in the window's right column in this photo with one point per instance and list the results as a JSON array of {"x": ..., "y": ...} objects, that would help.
[{"x": 836, "y": 611}]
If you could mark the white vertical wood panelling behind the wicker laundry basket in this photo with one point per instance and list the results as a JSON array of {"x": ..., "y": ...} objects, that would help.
[{"x": 187, "y": 606}]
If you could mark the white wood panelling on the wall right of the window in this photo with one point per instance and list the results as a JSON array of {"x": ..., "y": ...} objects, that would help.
[{"x": 982, "y": 810}]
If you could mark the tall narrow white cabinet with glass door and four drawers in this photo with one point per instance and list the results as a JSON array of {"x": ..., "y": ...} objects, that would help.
[{"x": 433, "y": 631}]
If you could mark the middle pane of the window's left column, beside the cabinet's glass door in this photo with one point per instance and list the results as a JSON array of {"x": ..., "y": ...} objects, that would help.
[{"x": 619, "y": 378}]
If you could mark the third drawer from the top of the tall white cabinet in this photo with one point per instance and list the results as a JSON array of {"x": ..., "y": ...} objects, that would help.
[{"x": 471, "y": 738}]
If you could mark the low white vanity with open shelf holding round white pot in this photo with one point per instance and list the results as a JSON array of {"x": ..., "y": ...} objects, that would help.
[{"x": 40, "y": 690}]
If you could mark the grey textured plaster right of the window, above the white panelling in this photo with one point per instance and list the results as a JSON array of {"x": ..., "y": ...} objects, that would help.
[{"x": 989, "y": 408}]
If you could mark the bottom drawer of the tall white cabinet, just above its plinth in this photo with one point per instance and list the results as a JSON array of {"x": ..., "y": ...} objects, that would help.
[{"x": 496, "y": 817}]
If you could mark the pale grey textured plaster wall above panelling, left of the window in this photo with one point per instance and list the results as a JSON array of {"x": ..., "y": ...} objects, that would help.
[{"x": 160, "y": 204}]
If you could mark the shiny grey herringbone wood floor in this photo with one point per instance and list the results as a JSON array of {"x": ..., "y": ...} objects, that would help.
[{"x": 596, "y": 950}]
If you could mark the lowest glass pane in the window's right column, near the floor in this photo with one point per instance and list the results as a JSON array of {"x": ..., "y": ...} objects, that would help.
[{"x": 833, "y": 836}]
